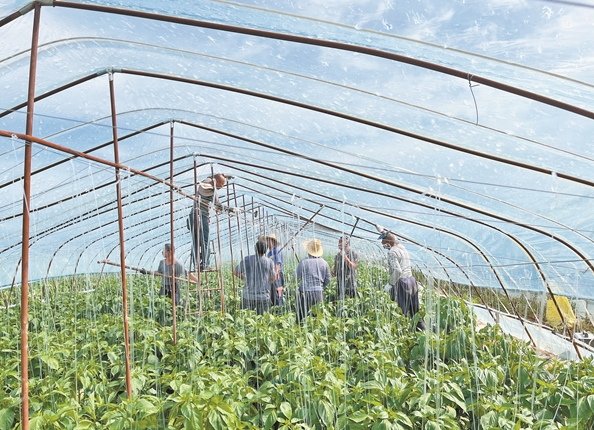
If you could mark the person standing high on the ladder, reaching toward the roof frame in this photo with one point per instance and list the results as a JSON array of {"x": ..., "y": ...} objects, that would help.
[{"x": 198, "y": 220}]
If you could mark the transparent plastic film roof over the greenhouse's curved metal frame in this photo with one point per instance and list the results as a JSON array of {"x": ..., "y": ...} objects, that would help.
[{"x": 464, "y": 127}]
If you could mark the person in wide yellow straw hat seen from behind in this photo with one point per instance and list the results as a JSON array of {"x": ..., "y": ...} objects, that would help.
[{"x": 314, "y": 274}]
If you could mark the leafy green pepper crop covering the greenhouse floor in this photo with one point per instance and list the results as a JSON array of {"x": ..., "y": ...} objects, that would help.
[{"x": 356, "y": 364}]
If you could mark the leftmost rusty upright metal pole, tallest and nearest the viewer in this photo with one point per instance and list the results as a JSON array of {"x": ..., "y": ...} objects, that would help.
[{"x": 26, "y": 221}]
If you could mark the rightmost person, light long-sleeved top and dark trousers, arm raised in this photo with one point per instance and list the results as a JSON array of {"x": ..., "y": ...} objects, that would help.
[{"x": 404, "y": 289}]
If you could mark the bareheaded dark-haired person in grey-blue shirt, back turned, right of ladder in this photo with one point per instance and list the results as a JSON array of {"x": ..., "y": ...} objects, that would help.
[{"x": 258, "y": 272}]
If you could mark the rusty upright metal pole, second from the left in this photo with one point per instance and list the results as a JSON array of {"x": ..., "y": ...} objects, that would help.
[{"x": 121, "y": 230}]
